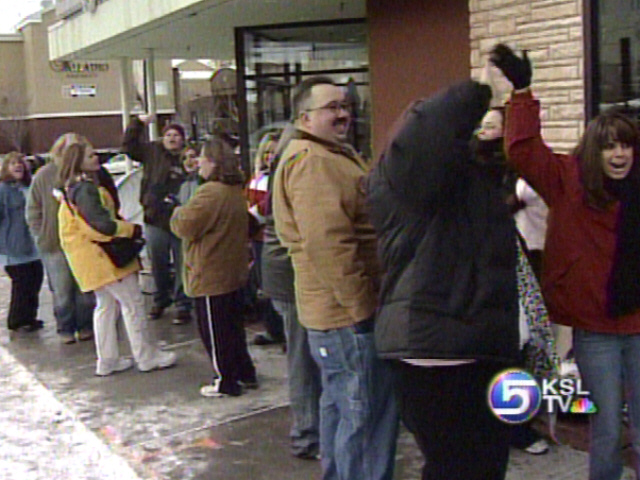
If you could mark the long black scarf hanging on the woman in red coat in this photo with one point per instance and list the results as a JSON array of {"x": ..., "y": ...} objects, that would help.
[{"x": 623, "y": 286}]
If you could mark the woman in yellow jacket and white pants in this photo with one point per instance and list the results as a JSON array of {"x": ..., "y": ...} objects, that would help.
[{"x": 87, "y": 216}]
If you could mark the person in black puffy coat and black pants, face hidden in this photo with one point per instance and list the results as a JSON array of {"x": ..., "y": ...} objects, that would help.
[{"x": 448, "y": 314}]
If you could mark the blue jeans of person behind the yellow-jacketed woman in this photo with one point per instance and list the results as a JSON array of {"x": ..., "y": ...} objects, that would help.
[{"x": 72, "y": 308}]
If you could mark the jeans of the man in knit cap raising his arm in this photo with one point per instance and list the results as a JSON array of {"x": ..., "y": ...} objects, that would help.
[{"x": 163, "y": 245}]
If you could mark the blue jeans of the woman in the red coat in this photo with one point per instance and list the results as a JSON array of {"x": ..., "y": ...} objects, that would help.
[{"x": 609, "y": 364}]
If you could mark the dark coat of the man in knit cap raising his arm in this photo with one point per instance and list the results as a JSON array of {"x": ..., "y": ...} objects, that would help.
[{"x": 162, "y": 174}]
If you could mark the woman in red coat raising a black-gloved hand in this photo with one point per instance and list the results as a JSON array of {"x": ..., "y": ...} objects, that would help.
[{"x": 591, "y": 264}]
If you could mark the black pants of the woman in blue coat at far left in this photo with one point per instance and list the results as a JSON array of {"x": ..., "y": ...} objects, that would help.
[{"x": 26, "y": 280}]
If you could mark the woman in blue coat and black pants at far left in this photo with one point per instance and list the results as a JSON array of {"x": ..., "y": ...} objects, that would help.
[{"x": 18, "y": 253}]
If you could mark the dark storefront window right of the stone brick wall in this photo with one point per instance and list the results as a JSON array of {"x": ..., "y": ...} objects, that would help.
[{"x": 616, "y": 54}]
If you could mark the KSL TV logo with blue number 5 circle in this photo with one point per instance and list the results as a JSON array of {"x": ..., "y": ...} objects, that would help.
[{"x": 514, "y": 396}]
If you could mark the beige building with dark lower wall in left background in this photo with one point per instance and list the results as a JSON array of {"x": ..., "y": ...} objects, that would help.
[{"x": 42, "y": 99}]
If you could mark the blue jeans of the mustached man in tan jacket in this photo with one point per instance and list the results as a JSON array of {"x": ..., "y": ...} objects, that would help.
[{"x": 358, "y": 412}]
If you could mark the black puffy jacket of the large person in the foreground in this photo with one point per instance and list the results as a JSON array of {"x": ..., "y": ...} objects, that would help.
[{"x": 446, "y": 238}]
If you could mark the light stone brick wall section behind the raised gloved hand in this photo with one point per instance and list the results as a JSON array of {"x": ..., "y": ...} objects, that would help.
[{"x": 552, "y": 31}]
